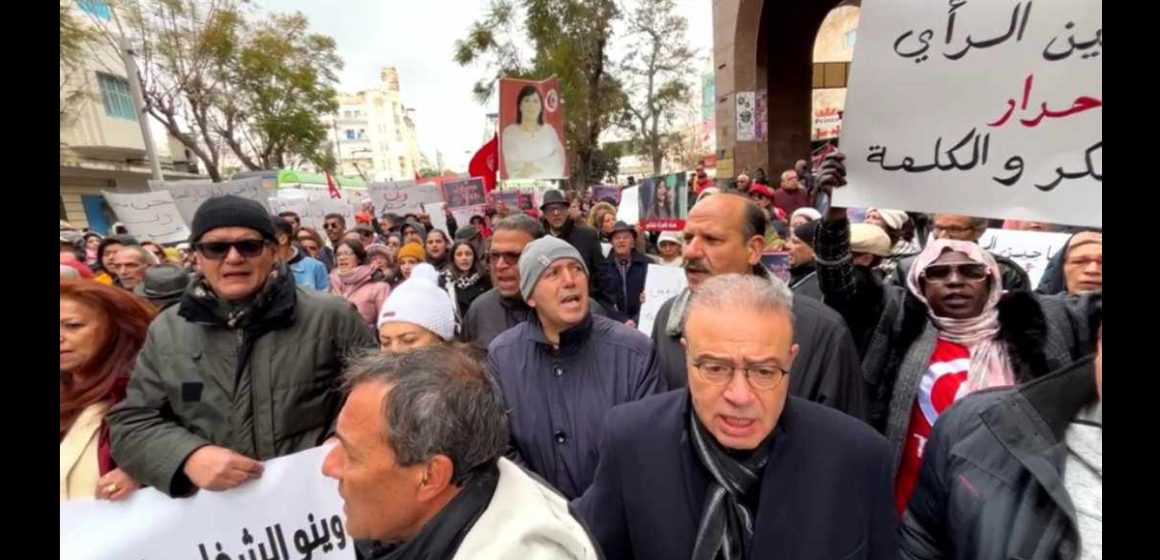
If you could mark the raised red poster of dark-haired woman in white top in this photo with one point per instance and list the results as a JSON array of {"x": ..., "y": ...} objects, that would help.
[{"x": 532, "y": 130}]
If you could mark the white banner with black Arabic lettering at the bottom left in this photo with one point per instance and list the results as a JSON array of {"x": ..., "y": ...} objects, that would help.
[{"x": 293, "y": 512}]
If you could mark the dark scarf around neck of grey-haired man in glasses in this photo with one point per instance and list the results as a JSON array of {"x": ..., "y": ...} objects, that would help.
[{"x": 727, "y": 525}]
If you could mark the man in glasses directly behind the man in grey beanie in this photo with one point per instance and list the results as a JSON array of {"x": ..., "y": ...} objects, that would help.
[{"x": 503, "y": 307}]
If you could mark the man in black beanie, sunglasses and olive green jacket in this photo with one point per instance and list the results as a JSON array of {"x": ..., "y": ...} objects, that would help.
[{"x": 245, "y": 369}]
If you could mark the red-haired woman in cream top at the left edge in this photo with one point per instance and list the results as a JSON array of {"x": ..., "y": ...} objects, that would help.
[{"x": 103, "y": 329}]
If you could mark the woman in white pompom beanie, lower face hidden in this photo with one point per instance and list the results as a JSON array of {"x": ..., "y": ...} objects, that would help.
[{"x": 417, "y": 315}]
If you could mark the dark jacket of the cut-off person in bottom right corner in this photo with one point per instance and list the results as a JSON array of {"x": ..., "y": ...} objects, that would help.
[{"x": 992, "y": 483}]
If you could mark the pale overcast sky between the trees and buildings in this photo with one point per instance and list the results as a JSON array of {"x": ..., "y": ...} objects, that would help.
[{"x": 418, "y": 38}]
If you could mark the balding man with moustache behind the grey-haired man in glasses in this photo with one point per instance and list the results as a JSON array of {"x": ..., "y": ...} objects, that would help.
[{"x": 724, "y": 235}]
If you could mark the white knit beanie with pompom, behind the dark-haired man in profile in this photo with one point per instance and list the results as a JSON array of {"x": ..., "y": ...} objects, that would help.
[{"x": 420, "y": 302}]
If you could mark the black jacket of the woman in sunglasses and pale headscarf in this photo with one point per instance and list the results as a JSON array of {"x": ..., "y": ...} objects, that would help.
[{"x": 896, "y": 337}]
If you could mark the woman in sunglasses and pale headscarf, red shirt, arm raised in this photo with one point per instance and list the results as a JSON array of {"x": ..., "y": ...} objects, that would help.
[{"x": 951, "y": 331}]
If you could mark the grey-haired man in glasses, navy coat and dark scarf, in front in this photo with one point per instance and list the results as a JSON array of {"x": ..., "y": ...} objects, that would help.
[{"x": 734, "y": 467}]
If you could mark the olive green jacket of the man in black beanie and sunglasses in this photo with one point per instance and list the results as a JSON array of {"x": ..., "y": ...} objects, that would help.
[{"x": 263, "y": 381}]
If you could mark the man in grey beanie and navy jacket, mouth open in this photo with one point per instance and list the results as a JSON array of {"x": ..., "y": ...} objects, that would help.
[{"x": 564, "y": 368}]
